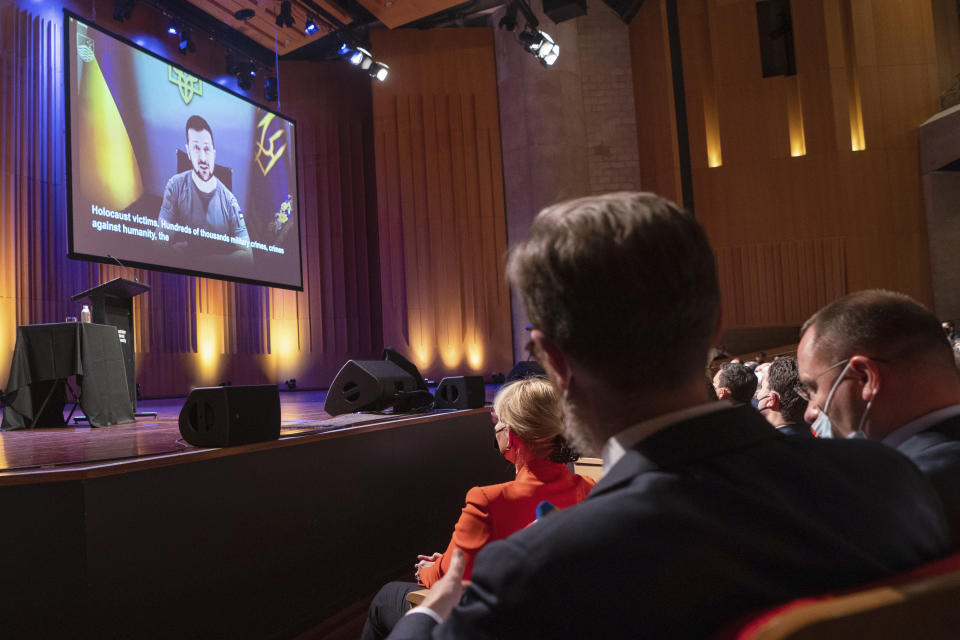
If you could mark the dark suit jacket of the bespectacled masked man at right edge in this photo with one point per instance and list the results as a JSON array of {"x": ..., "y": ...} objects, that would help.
[{"x": 937, "y": 452}]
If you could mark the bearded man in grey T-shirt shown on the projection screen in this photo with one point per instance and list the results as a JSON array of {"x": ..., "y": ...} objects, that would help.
[{"x": 197, "y": 199}]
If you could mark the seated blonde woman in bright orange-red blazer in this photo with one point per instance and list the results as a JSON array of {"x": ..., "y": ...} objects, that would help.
[{"x": 527, "y": 423}]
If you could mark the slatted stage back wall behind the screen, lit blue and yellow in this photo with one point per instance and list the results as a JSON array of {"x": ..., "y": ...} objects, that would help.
[{"x": 193, "y": 331}]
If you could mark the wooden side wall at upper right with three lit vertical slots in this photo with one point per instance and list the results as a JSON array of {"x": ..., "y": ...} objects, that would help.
[{"x": 861, "y": 208}]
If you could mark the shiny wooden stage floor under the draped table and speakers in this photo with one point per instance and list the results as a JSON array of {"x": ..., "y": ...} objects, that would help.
[{"x": 80, "y": 446}]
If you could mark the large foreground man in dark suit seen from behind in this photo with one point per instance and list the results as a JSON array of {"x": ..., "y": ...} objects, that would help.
[{"x": 704, "y": 512}]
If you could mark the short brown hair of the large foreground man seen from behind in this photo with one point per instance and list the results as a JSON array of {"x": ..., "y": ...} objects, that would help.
[{"x": 625, "y": 284}]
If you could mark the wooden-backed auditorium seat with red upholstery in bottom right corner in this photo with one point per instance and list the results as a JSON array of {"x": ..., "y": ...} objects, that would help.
[{"x": 922, "y": 603}]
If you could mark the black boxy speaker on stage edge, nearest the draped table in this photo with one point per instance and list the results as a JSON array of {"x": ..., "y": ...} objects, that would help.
[{"x": 228, "y": 416}]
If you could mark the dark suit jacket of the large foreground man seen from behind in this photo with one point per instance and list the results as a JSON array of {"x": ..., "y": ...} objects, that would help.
[{"x": 700, "y": 523}]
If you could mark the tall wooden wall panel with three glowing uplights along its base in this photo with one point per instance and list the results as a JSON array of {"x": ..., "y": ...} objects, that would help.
[{"x": 440, "y": 201}]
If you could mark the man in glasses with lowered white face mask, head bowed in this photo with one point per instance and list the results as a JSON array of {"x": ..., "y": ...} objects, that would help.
[{"x": 876, "y": 364}]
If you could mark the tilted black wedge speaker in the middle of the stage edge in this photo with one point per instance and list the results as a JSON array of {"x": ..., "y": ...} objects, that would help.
[{"x": 367, "y": 385}]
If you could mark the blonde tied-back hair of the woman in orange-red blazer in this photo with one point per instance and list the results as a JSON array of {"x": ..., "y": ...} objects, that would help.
[{"x": 531, "y": 409}]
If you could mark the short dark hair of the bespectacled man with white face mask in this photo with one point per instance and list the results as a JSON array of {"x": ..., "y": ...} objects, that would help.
[{"x": 885, "y": 325}]
